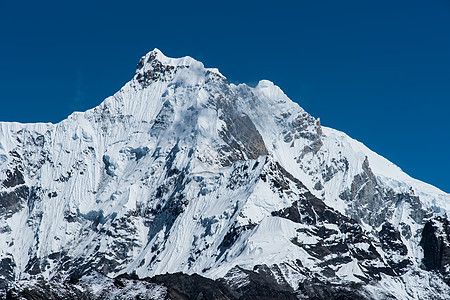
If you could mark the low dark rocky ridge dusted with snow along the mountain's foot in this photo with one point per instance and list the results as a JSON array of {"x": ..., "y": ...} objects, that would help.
[{"x": 246, "y": 285}]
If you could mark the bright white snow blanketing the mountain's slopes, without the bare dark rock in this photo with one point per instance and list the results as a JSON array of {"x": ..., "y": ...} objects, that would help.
[{"x": 177, "y": 119}]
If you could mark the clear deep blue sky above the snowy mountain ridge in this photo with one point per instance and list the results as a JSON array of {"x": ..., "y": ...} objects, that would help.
[{"x": 378, "y": 70}]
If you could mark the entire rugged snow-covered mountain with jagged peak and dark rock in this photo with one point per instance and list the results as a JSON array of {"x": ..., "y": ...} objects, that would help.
[{"x": 183, "y": 186}]
